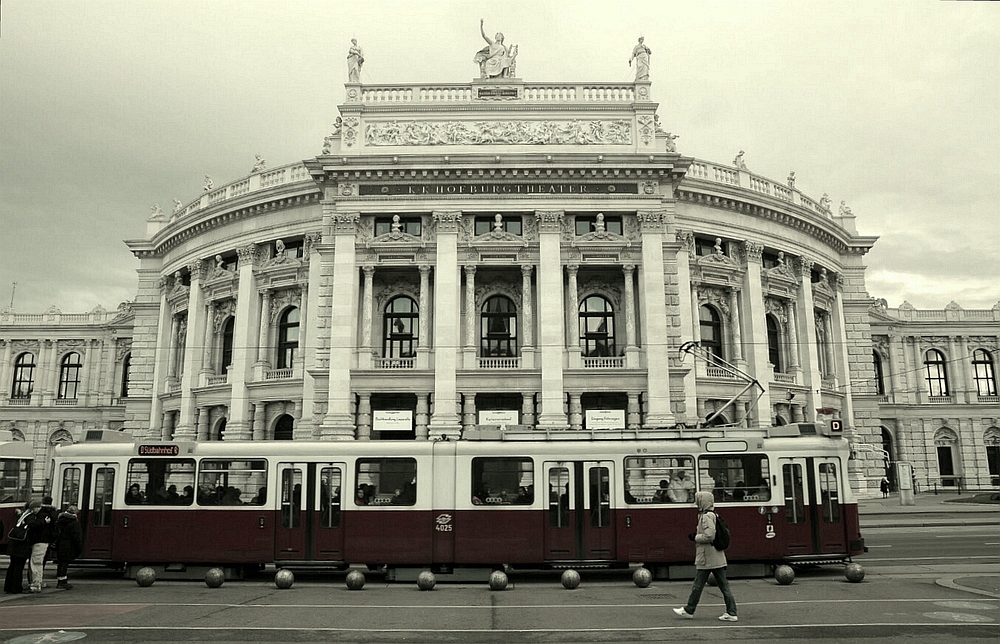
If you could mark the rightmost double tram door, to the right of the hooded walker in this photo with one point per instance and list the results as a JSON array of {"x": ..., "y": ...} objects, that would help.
[{"x": 813, "y": 518}]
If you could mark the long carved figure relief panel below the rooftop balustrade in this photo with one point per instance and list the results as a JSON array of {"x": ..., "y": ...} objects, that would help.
[{"x": 564, "y": 132}]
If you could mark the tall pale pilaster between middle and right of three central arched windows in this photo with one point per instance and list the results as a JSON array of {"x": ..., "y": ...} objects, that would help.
[{"x": 551, "y": 320}]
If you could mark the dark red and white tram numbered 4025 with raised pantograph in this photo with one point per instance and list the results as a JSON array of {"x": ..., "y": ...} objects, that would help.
[{"x": 460, "y": 503}]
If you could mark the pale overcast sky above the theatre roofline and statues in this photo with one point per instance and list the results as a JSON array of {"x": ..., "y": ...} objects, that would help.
[{"x": 109, "y": 107}]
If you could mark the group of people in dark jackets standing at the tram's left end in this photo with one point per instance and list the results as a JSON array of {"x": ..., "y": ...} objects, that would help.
[{"x": 46, "y": 528}]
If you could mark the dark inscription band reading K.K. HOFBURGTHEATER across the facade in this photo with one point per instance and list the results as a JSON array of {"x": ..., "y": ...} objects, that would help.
[{"x": 497, "y": 188}]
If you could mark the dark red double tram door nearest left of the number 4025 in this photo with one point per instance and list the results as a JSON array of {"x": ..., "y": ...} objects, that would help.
[{"x": 310, "y": 523}]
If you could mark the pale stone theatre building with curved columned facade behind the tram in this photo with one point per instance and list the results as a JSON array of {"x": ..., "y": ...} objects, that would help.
[{"x": 526, "y": 255}]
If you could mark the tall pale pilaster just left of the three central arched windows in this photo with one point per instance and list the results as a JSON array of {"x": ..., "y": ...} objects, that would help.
[{"x": 339, "y": 422}]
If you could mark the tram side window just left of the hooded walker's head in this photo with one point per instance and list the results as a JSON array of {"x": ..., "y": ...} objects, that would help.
[{"x": 659, "y": 479}]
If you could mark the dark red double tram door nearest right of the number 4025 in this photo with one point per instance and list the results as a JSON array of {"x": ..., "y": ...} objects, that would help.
[{"x": 579, "y": 523}]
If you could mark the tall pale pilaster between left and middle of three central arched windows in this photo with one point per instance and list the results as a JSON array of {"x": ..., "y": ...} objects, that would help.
[{"x": 445, "y": 420}]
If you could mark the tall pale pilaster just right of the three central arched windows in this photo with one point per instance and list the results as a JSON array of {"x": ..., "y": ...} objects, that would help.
[{"x": 659, "y": 413}]
